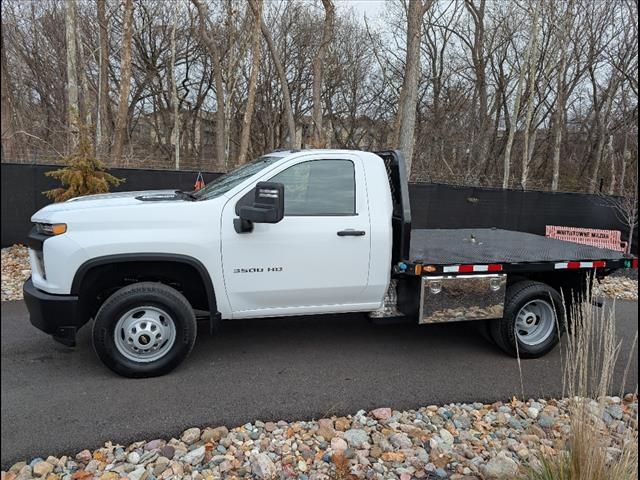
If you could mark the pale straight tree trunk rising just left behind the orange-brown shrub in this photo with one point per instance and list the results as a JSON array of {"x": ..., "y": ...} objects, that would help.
[{"x": 73, "y": 114}]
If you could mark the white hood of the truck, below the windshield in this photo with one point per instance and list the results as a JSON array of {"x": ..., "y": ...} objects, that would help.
[{"x": 109, "y": 200}]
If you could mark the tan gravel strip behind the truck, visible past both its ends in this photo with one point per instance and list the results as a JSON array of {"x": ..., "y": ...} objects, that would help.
[{"x": 15, "y": 270}]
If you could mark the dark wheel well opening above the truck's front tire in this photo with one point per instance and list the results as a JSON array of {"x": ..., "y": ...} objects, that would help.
[{"x": 95, "y": 282}]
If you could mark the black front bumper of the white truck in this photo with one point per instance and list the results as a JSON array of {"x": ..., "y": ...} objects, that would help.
[{"x": 56, "y": 315}]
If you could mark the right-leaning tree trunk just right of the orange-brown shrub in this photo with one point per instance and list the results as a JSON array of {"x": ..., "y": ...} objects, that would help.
[{"x": 125, "y": 80}]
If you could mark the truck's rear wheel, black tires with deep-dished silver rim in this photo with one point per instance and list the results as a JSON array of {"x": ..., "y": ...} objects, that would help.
[{"x": 533, "y": 320}]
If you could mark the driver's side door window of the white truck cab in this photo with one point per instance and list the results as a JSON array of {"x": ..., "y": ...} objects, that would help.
[{"x": 319, "y": 188}]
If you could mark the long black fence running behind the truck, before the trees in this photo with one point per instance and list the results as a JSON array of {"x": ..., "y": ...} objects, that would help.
[{"x": 433, "y": 205}]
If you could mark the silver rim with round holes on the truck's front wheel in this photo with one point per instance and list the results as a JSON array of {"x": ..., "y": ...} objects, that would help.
[{"x": 145, "y": 334}]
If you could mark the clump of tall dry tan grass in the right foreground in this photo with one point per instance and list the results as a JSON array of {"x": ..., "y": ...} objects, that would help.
[{"x": 590, "y": 353}]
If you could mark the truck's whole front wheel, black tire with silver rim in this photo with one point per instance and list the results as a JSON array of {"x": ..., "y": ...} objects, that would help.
[{"x": 156, "y": 327}]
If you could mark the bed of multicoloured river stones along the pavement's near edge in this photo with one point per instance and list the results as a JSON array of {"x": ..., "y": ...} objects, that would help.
[{"x": 456, "y": 441}]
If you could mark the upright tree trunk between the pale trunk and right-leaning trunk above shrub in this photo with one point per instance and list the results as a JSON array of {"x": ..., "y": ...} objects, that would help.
[{"x": 102, "y": 114}]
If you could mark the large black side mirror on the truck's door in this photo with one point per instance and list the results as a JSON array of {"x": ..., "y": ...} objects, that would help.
[{"x": 268, "y": 207}]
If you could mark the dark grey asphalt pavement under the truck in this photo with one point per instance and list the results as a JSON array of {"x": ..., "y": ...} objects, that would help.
[{"x": 58, "y": 400}]
